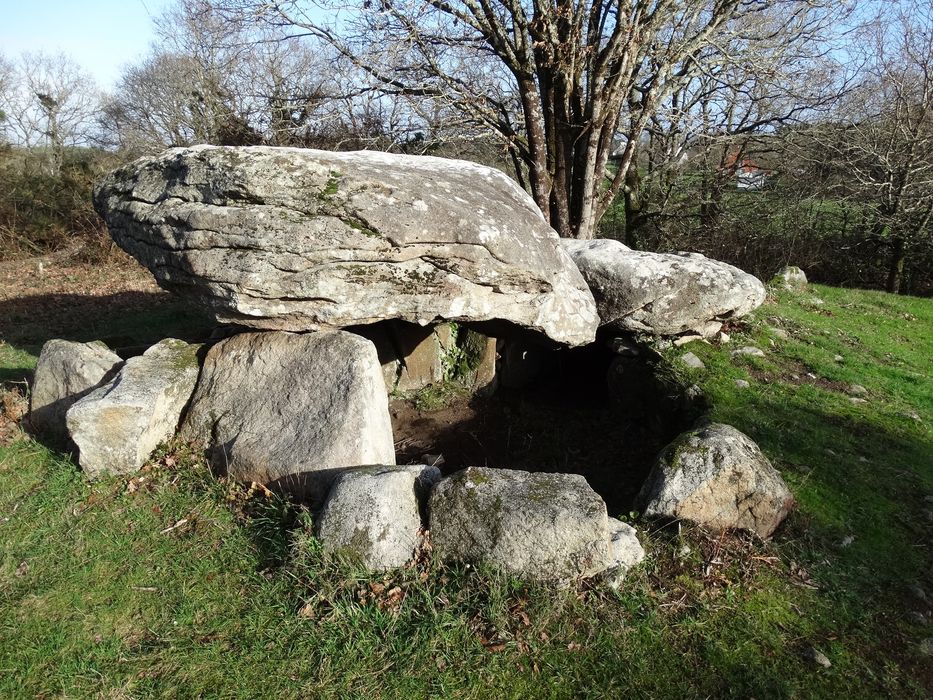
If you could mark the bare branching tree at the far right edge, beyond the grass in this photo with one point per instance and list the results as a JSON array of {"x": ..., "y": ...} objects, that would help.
[{"x": 878, "y": 150}]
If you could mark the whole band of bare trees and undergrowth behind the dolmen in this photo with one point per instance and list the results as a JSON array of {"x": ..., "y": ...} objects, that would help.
[{"x": 762, "y": 132}]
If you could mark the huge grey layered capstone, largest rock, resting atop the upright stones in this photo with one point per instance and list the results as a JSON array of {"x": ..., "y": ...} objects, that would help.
[{"x": 297, "y": 239}]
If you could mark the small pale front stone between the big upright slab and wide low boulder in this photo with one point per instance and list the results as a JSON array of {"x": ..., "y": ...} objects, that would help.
[{"x": 374, "y": 513}]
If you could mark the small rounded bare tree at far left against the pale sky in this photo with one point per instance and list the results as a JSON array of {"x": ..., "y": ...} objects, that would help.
[{"x": 52, "y": 103}]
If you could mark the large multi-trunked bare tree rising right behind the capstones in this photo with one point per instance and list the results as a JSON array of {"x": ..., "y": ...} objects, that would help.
[{"x": 554, "y": 79}]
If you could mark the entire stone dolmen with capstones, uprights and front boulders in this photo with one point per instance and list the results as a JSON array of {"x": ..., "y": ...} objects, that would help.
[{"x": 335, "y": 274}]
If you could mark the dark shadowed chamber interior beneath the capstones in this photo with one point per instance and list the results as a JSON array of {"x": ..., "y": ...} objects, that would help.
[{"x": 588, "y": 411}]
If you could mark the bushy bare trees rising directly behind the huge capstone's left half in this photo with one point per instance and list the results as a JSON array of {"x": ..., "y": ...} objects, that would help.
[{"x": 209, "y": 80}]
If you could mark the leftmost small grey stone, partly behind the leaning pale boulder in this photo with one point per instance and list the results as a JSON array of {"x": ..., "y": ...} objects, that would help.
[{"x": 66, "y": 371}]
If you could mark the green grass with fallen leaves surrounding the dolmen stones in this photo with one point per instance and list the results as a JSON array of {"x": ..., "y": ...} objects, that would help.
[{"x": 173, "y": 584}]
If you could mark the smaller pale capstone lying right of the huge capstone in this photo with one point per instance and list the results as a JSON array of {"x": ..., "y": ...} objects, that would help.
[{"x": 663, "y": 293}]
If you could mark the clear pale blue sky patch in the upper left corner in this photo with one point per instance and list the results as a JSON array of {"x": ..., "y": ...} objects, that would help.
[{"x": 100, "y": 35}]
